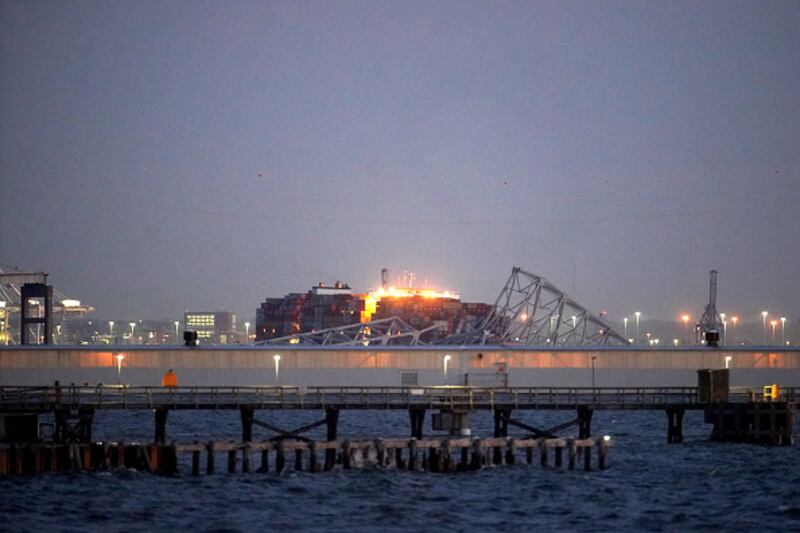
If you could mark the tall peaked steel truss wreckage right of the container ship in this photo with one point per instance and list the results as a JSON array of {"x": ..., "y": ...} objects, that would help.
[{"x": 531, "y": 311}]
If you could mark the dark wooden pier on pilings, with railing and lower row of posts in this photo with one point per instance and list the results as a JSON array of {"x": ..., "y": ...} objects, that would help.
[{"x": 737, "y": 417}]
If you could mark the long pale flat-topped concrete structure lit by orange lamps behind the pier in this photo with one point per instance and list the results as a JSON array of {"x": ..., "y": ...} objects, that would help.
[{"x": 394, "y": 366}]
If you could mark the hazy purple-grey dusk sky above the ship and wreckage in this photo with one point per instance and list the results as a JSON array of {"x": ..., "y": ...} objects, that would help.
[{"x": 161, "y": 156}]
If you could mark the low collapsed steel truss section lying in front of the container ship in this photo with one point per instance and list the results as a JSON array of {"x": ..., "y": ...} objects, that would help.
[{"x": 376, "y": 333}]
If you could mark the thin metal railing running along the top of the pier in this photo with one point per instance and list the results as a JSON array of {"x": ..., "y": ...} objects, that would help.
[{"x": 445, "y": 397}]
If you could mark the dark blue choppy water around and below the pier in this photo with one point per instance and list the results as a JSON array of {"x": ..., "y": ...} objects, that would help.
[{"x": 649, "y": 486}]
